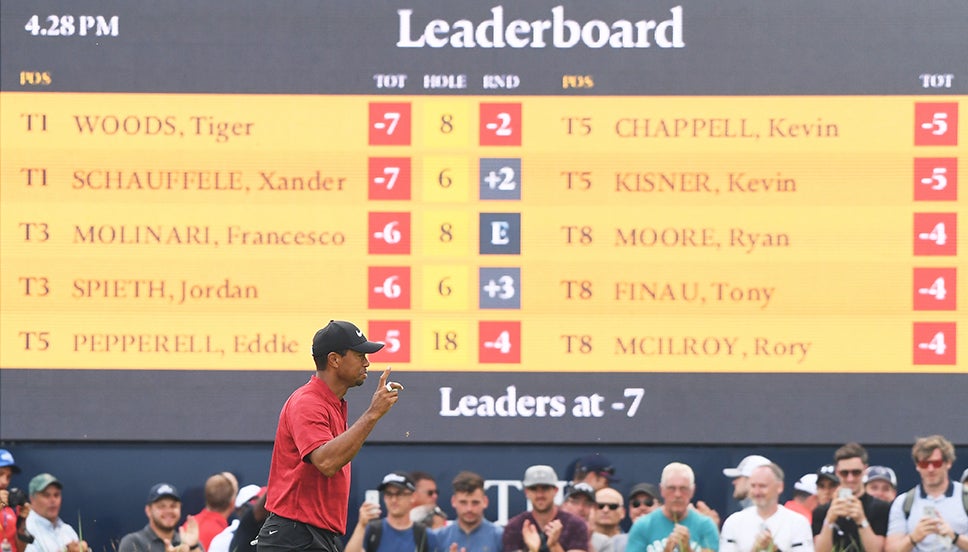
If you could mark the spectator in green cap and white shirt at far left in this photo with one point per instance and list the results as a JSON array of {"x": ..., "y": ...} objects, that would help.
[{"x": 48, "y": 529}]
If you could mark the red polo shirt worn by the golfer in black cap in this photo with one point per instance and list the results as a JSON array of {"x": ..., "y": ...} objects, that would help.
[{"x": 313, "y": 415}]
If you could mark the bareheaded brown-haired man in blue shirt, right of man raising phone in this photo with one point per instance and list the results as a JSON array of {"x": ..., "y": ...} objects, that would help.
[{"x": 470, "y": 531}]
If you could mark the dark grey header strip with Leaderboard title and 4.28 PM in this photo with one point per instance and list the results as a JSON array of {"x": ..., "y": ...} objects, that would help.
[{"x": 610, "y": 47}]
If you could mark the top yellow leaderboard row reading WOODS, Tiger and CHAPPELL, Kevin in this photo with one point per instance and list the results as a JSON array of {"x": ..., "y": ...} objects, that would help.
[{"x": 274, "y": 124}]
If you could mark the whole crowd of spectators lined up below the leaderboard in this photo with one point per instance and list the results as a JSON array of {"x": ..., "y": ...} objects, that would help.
[{"x": 845, "y": 506}]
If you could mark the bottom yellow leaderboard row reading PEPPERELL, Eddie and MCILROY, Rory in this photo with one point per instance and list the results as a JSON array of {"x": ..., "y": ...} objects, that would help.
[{"x": 535, "y": 343}]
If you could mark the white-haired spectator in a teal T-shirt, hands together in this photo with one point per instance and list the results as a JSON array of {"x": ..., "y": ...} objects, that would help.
[{"x": 675, "y": 524}]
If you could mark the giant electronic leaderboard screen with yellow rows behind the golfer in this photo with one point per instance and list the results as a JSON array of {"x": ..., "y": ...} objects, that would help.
[{"x": 628, "y": 222}]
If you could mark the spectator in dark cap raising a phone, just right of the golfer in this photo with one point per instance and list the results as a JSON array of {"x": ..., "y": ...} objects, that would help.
[{"x": 396, "y": 531}]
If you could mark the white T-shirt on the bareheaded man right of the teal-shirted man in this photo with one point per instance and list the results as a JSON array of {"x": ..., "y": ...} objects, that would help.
[{"x": 791, "y": 532}]
